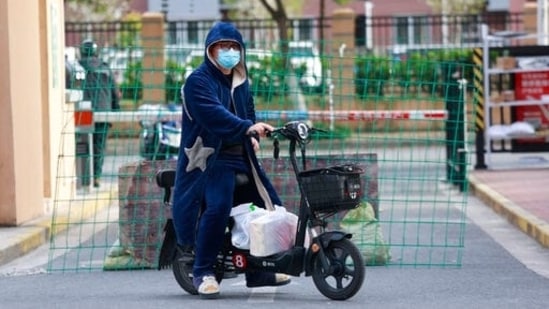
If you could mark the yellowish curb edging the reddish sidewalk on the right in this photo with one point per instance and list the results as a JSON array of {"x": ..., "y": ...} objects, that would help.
[{"x": 520, "y": 218}]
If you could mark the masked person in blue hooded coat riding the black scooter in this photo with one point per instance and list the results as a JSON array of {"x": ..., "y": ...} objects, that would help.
[{"x": 219, "y": 140}]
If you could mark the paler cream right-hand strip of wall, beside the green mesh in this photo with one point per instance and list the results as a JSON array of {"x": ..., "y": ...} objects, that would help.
[{"x": 59, "y": 169}]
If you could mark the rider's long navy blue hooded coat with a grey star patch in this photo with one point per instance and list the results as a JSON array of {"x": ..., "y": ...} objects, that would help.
[{"x": 208, "y": 120}]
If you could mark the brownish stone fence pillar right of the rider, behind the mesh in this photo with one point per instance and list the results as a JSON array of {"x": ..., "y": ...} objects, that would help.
[{"x": 343, "y": 51}]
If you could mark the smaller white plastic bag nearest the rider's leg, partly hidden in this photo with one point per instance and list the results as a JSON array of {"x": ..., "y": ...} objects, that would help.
[{"x": 243, "y": 214}]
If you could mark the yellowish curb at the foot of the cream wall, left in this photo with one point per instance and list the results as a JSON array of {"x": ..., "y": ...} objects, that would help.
[{"x": 21, "y": 240}]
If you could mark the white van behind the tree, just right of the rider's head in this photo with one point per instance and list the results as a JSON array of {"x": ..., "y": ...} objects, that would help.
[{"x": 306, "y": 53}]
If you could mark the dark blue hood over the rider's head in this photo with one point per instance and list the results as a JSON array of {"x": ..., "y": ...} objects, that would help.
[{"x": 226, "y": 31}]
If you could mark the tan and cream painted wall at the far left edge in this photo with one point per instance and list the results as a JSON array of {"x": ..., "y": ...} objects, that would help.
[{"x": 28, "y": 98}]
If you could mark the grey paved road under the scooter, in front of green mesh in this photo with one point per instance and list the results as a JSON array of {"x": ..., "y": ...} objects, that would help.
[{"x": 502, "y": 268}]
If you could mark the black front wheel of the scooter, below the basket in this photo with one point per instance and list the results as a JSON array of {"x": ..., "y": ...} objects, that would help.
[{"x": 345, "y": 273}]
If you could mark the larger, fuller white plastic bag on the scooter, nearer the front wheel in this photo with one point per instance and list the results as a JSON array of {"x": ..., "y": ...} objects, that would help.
[{"x": 273, "y": 232}]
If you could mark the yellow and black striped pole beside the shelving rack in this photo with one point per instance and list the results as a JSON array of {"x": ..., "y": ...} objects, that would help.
[{"x": 478, "y": 99}]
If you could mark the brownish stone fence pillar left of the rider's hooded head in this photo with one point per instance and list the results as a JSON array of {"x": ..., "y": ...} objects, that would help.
[{"x": 152, "y": 36}]
